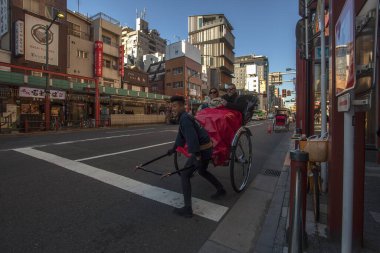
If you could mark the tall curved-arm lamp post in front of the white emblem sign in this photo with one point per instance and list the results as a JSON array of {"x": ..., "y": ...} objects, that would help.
[{"x": 47, "y": 91}]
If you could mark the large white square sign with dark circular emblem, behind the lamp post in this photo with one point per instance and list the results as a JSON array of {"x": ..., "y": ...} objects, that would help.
[{"x": 35, "y": 40}]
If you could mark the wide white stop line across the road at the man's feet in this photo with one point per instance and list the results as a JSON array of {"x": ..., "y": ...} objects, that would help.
[{"x": 201, "y": 207}]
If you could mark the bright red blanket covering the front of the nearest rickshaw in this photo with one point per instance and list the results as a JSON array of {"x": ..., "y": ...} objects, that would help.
[{"x": 221, "y": 125}]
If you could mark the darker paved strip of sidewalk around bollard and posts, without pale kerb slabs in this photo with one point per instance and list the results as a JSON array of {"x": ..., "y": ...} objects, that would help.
[{"x": 273, "y": 235}]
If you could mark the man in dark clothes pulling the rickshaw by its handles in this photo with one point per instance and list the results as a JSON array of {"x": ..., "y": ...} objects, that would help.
[{"x": 200, "y": 147}]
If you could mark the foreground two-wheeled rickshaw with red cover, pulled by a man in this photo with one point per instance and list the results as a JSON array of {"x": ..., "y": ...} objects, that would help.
[{"x": 231, "y": 140}]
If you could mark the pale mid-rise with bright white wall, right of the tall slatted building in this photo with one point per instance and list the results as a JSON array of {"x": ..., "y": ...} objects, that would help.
[{"x": 252, "y": 75}]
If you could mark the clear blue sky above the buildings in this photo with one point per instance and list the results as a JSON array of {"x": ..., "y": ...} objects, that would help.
[{"x": 262, "y": 27}]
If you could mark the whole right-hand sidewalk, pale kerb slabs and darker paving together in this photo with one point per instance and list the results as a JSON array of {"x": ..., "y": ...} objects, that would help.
[{"x": 267, "y": 202}]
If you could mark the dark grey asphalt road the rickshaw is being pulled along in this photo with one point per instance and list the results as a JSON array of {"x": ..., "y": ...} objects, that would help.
[{"x": 78, "y": 192}]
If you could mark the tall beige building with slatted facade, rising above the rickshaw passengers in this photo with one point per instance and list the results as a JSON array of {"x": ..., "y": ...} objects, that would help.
[{"x": 212, "y": 35}]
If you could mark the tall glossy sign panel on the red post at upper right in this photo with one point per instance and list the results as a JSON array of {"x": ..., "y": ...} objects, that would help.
[{"x": 345, "y": 50}]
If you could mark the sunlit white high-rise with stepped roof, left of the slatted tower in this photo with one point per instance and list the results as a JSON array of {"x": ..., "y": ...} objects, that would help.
[{"x": 141, "y": 41}]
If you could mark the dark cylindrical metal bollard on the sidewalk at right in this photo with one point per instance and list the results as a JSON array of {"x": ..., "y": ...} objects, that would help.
[{"x": 297, "y": 200}]
